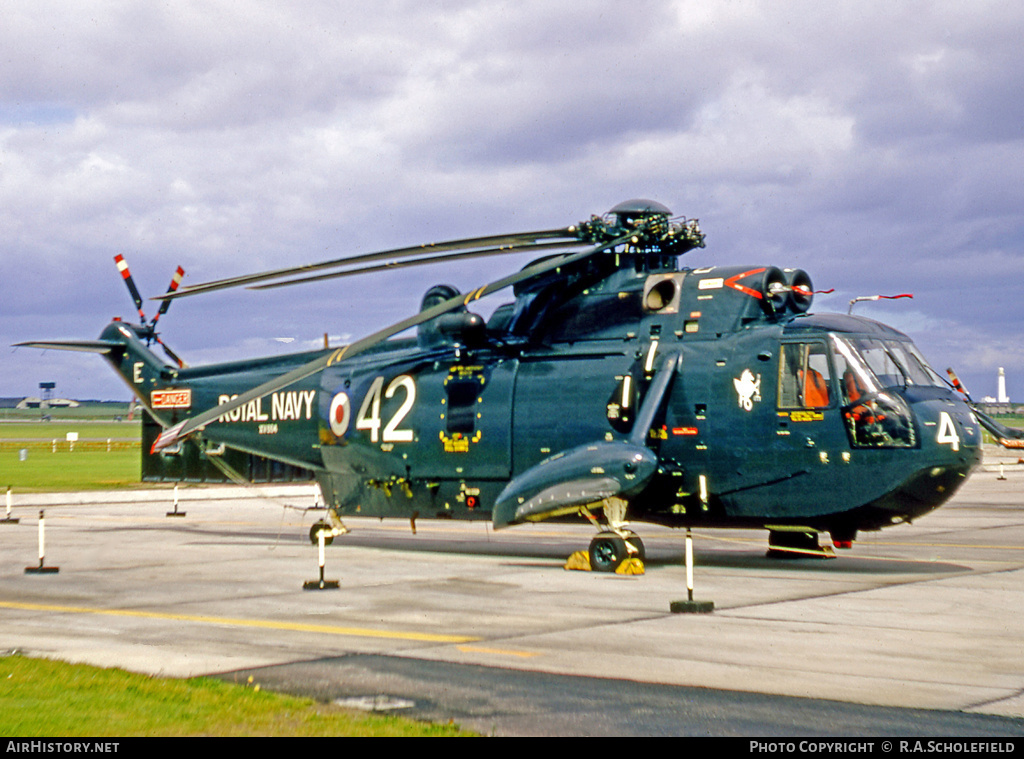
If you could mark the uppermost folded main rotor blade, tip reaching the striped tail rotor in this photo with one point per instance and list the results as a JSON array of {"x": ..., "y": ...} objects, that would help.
[{"x": 568, "y": 234}]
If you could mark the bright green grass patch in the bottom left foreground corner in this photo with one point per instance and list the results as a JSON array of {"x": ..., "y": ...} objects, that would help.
[{"x": 39, "y": 698}]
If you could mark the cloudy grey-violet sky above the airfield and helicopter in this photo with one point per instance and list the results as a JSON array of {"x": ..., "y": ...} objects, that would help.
[{"x": 880, "y": 146}]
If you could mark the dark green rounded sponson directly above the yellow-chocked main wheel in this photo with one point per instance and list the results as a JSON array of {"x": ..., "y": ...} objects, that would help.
[{"x": 570, "y": 481}]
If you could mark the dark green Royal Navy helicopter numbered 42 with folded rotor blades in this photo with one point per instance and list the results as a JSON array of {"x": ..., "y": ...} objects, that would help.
[{"x": 615, "y": 387}]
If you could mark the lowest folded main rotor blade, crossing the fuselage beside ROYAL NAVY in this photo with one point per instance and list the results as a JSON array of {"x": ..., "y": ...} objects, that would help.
[{"x": 179, "y": 432}]
